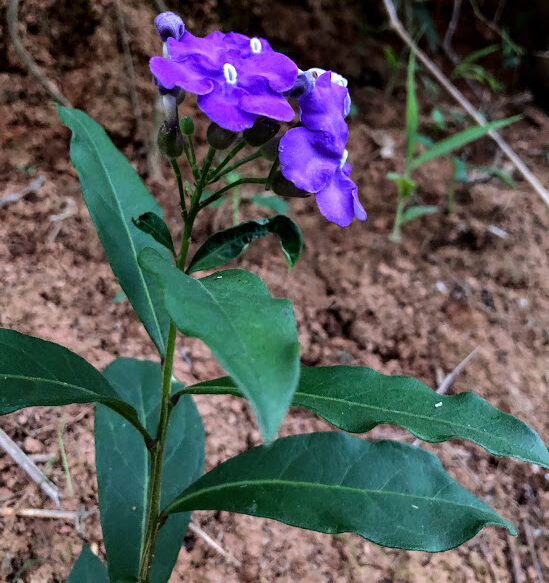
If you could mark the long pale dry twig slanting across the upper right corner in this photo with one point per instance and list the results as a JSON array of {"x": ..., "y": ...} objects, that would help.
[{"x": 463, "y": 101}]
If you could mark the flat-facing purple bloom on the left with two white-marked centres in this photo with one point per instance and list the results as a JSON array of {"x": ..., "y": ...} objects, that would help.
[{"x": 236, "y": 78}]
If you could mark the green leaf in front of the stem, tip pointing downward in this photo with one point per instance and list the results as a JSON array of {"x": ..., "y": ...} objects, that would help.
[{"x": 252, "y": 334}]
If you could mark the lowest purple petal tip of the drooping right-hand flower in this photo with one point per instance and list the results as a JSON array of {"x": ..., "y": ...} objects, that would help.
[{"x": 336, "y": 201}]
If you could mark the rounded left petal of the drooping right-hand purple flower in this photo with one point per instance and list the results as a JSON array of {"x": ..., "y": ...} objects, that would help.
[{"x": 306, "y": 158}]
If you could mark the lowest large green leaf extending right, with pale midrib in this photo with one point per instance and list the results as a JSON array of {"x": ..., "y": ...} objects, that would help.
[{"x": 391, "y": 493}]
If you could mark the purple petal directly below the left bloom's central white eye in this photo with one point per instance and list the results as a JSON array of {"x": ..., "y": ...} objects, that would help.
[{"x": 222, "y": 107}]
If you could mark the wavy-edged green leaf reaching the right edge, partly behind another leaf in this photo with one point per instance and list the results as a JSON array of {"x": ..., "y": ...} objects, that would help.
[{"x": 358, "y": 399}]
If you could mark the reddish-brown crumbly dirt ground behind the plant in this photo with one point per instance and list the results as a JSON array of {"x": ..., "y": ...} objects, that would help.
[{"x": 417, "y": 308}]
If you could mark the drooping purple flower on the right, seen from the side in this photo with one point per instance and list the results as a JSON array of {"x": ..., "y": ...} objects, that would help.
[{"x": 314, "y": 157}]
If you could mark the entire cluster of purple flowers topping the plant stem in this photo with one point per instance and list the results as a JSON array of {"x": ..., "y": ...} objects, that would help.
[{"x": 239, "y": 80}]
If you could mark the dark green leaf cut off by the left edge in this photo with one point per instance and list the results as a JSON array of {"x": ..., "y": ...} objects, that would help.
[{"x": 36, "y": 372}]
